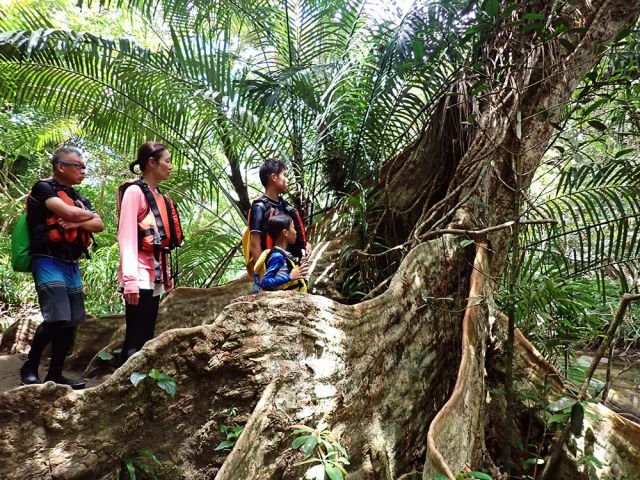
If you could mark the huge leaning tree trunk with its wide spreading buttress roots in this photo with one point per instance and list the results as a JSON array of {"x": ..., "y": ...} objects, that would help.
[{"x": 401, "y": 377}]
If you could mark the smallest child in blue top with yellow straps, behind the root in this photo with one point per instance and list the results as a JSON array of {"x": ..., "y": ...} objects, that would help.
[{"x": 276, "y": 268}]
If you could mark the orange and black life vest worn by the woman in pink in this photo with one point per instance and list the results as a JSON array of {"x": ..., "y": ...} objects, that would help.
[{"x": 159, "y": 231}]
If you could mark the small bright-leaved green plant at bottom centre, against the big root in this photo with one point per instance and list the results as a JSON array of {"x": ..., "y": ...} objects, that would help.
[{"x": 323, "y": 455}]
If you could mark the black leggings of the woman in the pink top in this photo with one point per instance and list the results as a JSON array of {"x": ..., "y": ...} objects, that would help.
[{"x": 141, "y": 322}]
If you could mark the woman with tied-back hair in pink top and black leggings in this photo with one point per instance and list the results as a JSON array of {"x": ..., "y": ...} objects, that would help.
[{"x": 145, "y": 217}]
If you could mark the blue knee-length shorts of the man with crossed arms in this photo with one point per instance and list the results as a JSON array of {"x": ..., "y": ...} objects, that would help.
[{"x": 59, "y": 288}]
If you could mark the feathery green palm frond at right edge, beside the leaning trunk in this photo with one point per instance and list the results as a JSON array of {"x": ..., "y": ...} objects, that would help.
[{"x": 598, "y": 213}]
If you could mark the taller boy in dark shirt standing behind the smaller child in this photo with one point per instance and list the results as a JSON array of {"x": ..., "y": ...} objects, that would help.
[{"x": 273, "y": 176}]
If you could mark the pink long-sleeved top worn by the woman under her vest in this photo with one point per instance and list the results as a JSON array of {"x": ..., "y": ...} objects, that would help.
[{"x": 136, "y": 266}]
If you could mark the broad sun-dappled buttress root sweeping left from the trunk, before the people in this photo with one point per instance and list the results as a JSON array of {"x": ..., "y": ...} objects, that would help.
[{"x": 299, "y": 358}]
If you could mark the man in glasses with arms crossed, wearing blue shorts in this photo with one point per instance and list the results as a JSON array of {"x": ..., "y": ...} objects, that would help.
[{"x": 61, "y": 222}]
